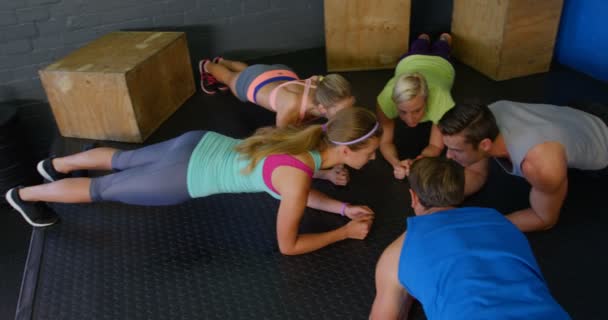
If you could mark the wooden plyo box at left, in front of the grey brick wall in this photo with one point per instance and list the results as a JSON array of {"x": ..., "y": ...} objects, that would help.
[{"x": 121, "y": 86}]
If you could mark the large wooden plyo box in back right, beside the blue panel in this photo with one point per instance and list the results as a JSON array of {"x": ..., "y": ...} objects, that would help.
[{"x": 505, "y": 39}]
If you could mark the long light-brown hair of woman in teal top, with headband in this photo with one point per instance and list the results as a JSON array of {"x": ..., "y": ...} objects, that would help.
[{"x": 347, "y": 125}]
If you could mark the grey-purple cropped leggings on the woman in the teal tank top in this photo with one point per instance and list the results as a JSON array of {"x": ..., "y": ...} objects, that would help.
[{"x": 151, "y": 176}]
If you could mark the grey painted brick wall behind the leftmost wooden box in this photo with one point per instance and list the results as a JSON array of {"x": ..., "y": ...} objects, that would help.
[{"x": 35, "y": 33}]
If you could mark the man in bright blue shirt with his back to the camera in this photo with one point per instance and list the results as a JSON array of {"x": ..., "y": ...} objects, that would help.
[{"x": 460, "y": 263}]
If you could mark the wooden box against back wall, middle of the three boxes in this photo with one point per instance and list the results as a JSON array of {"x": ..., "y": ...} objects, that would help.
[{"x": 365, "y": 35}]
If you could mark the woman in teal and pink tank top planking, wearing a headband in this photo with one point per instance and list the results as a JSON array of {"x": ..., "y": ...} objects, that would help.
[{"x": 280, "y": 161}]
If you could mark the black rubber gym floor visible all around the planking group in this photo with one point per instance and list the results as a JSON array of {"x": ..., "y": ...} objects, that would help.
[{"x": 217, "y": 257}]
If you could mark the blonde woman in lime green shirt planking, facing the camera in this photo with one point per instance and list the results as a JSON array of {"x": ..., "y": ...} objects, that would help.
[{"x": 419, "y": 91}]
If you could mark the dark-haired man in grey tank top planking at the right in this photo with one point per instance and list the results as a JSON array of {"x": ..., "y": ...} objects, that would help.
[{"x": 538, "y": 142}]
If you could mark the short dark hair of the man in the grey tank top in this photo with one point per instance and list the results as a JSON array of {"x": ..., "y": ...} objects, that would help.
[{"x": 475, "y": 120}]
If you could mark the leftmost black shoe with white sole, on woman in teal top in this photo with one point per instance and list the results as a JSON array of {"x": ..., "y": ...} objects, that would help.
[{"x": 37, "y": 213}]
